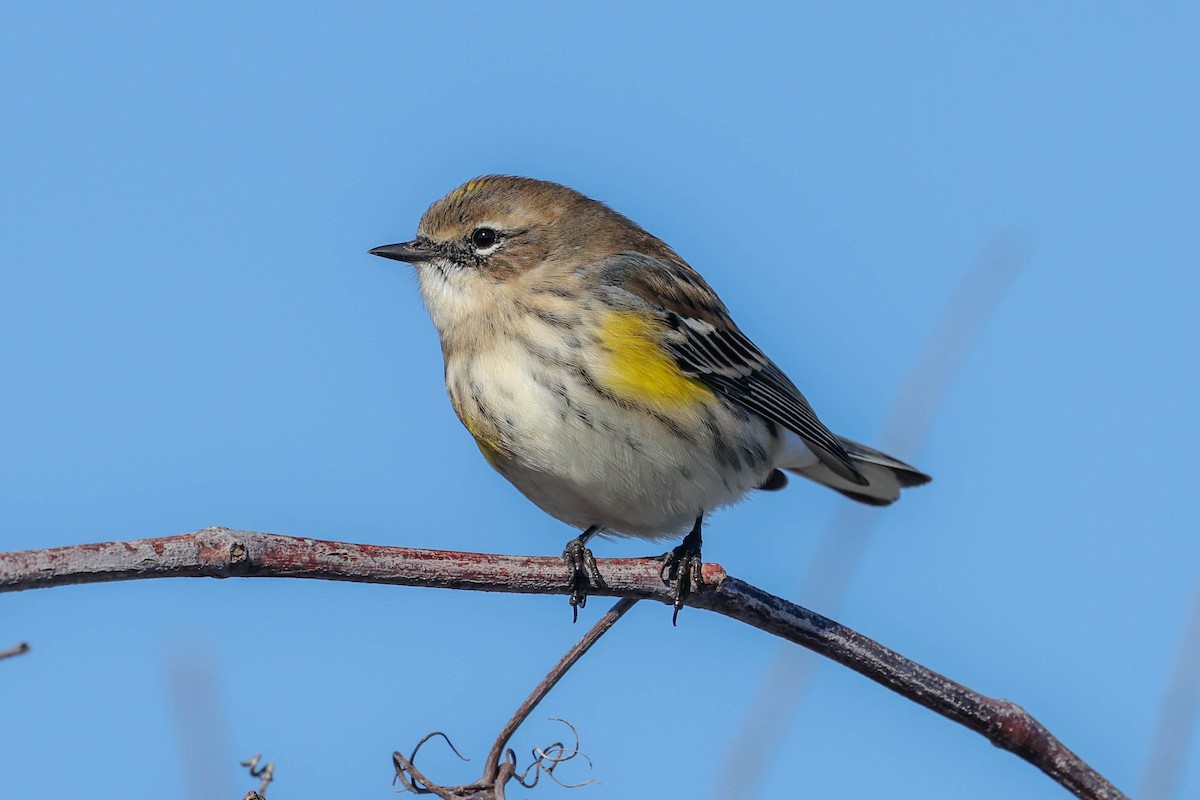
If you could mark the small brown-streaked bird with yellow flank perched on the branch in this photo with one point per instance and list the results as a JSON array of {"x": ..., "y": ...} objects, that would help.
[{"x": 604, "y": 378}]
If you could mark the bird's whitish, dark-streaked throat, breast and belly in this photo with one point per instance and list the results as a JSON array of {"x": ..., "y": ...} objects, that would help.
[{"x": 583, "y": 458}]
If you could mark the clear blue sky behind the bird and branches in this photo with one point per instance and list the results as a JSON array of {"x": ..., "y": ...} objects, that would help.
[{"x": 193, "y": 334}]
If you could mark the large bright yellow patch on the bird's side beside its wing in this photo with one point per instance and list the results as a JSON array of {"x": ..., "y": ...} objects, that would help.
[{"x": 640, "y": 370}]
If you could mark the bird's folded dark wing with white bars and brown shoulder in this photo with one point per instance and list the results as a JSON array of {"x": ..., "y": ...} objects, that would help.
[{"x": 707, "y": 346}]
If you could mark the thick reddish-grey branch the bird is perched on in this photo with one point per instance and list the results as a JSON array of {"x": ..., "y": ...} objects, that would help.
[{"x": 224, "y": 554}]
